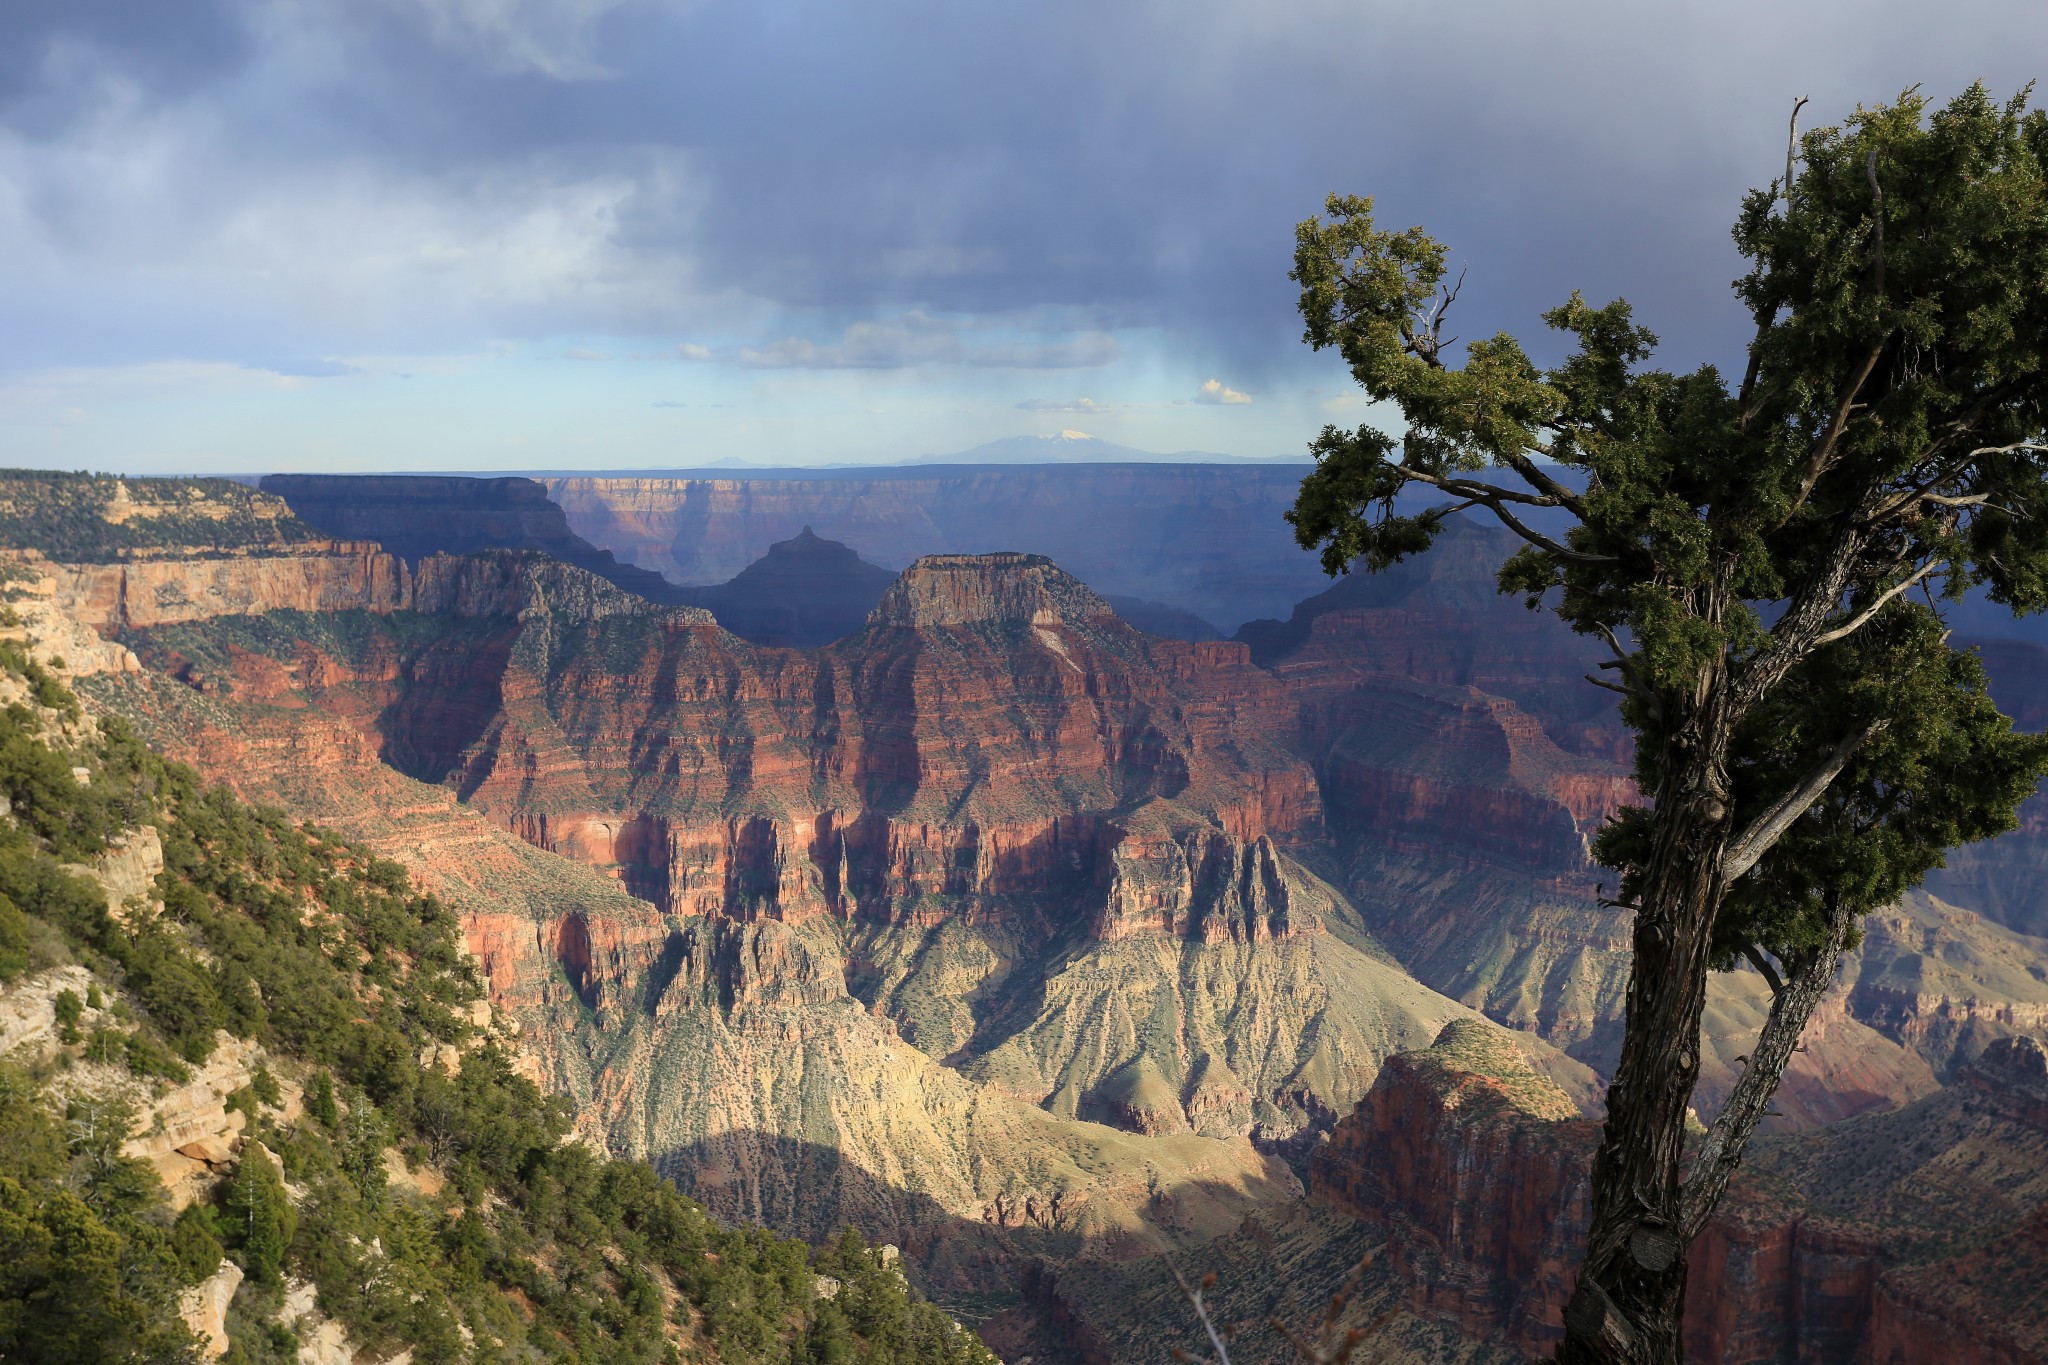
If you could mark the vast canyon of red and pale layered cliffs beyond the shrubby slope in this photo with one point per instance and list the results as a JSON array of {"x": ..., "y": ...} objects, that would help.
[{"x": 1041, "y": 944}]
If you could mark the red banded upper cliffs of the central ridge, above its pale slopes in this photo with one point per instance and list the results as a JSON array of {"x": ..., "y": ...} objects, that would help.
[{"x": 990, "y": 744}]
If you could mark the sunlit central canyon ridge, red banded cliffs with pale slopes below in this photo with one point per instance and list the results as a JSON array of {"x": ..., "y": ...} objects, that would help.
[{"x": 882, "y": 889}]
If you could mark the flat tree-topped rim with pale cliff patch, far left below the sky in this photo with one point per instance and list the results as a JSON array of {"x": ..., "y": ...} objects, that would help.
[{"x": 95, "y": 519}]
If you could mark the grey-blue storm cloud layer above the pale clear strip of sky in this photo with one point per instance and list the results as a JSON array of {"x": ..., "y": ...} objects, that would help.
[{"x": 781, "y": 175}]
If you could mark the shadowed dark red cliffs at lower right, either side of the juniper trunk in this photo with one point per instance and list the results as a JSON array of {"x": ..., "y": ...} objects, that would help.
[{"x": 1474, "y": 1172}]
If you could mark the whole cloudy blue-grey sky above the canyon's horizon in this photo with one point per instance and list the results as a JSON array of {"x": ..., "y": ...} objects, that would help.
[{"x": 247, "y": 236}]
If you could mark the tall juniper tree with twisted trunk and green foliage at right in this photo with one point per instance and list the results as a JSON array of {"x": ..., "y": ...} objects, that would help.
[{"x": 1768, "y": 562}]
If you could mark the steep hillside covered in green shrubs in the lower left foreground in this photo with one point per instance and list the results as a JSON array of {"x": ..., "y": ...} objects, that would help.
[{"x": 423, "y": 1186}]
